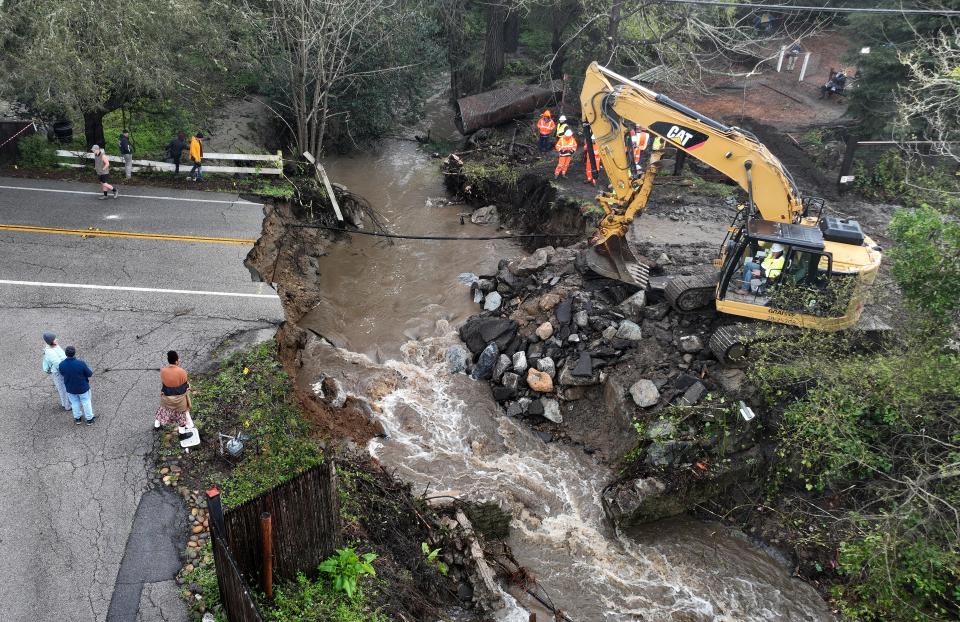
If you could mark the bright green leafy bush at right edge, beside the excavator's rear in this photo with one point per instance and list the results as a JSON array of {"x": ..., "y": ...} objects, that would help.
[{"x": 926, "y": 260}]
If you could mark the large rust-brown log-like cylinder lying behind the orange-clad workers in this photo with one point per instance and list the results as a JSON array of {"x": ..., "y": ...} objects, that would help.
[{"x": 501, "y": 105}]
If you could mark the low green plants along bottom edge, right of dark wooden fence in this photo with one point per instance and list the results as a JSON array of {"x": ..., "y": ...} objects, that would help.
[{"x": 316, "y": 601}]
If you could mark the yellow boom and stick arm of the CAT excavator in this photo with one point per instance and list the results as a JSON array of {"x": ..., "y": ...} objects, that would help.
[{"x": 611, "y": 103}]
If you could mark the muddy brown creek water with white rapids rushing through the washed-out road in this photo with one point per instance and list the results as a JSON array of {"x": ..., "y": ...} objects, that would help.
[{"x": 394, "y": 309}]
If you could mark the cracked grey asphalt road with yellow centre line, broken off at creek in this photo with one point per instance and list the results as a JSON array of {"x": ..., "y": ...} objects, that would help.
[{"x": 82, "y": 534}]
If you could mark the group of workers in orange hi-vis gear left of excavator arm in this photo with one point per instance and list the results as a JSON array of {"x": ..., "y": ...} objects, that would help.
[{"x": 559, "y": 137}]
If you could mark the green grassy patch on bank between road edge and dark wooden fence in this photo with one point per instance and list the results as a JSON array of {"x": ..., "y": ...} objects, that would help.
[{"x": 252, "y": 393}]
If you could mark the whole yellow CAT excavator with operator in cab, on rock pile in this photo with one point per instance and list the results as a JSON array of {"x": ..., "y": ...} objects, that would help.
[{"x": 827, "y": 263}]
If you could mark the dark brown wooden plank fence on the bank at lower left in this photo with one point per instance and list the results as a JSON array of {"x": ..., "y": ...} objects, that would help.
[{"x": 305, "y": 518}]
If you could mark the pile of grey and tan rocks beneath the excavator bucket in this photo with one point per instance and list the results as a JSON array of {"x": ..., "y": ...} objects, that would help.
[{"x": 562, "y": 346}]
